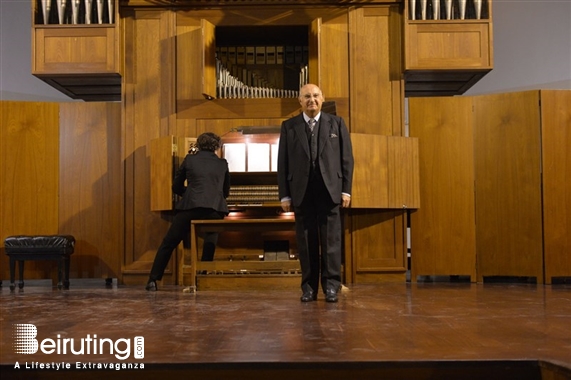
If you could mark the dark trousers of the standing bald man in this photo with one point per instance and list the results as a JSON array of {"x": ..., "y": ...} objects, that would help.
[{"x": 319, "y": 238}]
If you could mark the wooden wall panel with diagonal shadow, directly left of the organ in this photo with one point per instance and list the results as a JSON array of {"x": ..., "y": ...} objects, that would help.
[{"x": 91, "y": 187}]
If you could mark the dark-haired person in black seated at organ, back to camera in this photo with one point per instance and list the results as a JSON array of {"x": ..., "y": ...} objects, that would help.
[{"x": 204, "y": 197}]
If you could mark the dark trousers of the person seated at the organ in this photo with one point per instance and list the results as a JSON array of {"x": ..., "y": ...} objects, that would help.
[{"x": 179, "y": 229}]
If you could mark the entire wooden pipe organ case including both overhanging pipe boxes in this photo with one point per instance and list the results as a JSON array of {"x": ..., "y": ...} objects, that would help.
[{"x": 190, "y": 66}]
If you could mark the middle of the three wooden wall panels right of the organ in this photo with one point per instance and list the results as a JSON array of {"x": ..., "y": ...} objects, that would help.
[{"x": 508, "y": 185}]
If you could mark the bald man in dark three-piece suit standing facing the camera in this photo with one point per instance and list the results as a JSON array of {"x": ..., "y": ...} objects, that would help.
[{"x": 315, "y": 171}]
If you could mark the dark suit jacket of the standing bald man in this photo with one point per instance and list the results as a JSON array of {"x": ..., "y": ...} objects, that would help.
[{"x": 335, "y": 158}]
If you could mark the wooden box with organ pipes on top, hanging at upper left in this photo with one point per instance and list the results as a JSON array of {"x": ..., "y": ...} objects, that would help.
[{"x": 77, "y": 48}]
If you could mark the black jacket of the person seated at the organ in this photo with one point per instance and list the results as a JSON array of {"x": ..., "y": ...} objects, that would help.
[{"x": 208, "y": 182}]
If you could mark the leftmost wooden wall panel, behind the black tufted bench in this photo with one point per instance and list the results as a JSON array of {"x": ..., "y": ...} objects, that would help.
[{"x": 29, "y": 175}]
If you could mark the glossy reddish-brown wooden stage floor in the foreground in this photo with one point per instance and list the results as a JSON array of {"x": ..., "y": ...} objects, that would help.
[{"x": 438, "y": 330}]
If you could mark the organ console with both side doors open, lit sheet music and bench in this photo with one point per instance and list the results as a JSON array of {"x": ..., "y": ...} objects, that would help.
[{"x": 256, "y": 246}]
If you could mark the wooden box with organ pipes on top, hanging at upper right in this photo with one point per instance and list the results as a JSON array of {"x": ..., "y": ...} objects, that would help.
[{"x": 447, "y": 45}]
